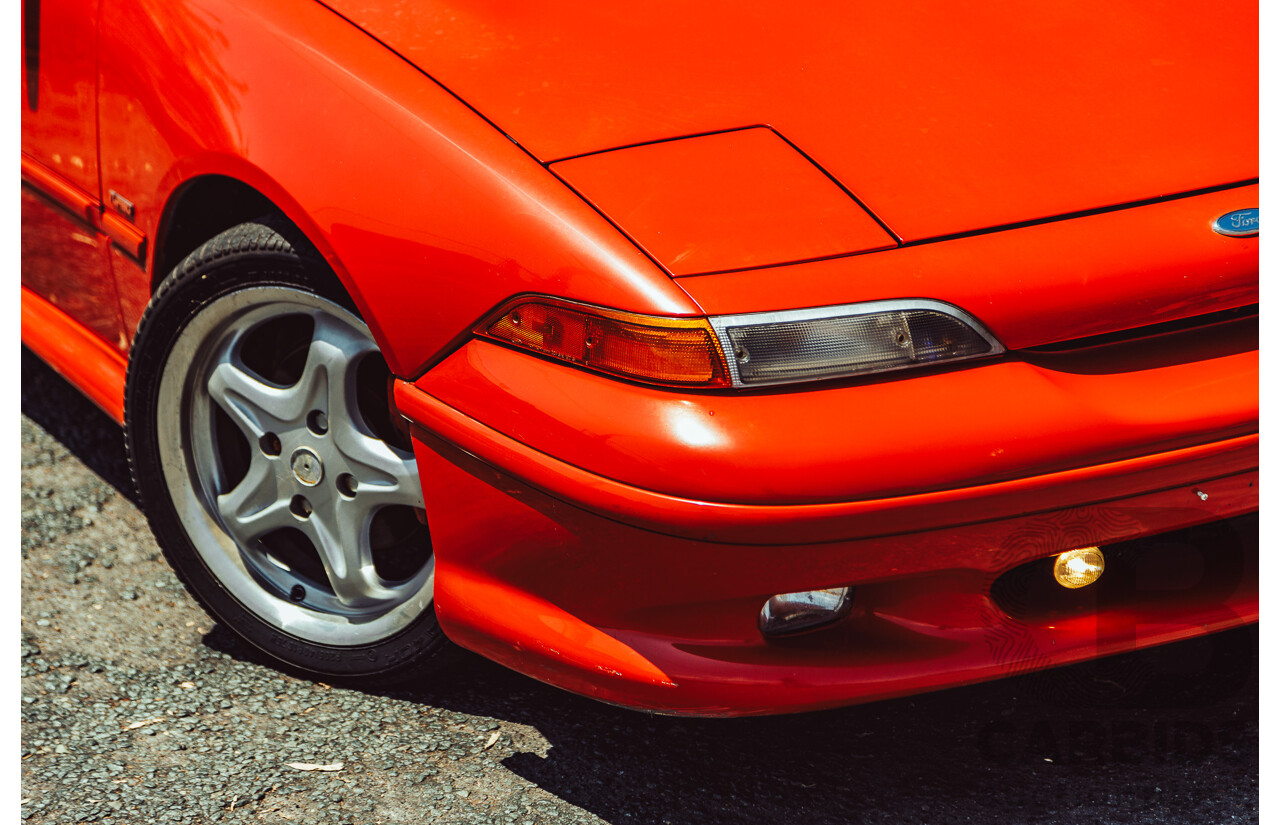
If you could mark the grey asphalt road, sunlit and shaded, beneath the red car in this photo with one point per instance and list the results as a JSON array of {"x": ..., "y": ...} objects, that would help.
[{"x": 136, "y": 708}]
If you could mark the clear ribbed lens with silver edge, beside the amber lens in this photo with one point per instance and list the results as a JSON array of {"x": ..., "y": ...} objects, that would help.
[{"x": 833, "y": 342}]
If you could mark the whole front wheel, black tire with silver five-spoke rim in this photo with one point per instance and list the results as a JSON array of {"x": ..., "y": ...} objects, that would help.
[{"x": 272, "y": 467}]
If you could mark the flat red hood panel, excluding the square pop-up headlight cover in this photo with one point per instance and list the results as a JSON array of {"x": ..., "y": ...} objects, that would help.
[{"x": 943, "y": 117}]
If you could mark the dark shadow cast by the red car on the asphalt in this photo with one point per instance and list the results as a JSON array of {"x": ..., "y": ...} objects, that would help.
[{"x": 1168, "y": 735}]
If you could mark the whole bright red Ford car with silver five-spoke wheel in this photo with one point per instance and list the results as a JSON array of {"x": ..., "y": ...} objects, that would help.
[{"x": 705, "y": 359}]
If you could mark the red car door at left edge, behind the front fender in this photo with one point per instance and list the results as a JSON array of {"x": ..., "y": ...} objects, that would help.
[{"x": 66, "y": 258}]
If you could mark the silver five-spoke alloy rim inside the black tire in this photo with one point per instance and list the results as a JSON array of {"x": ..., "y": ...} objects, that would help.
[{"x": 282, "y": 456}]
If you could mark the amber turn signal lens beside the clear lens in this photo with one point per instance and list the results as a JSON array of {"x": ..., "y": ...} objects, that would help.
[{"x": 647, "y": 349}]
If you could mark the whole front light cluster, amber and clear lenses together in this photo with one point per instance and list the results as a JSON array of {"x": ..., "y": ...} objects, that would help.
[{"x": 744, "y": 351}]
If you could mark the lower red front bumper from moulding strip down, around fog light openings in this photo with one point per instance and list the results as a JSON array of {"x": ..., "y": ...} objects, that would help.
[{"x": 650, "y": 601}]
